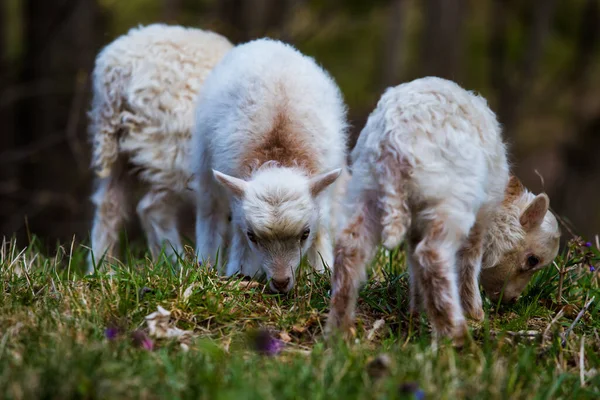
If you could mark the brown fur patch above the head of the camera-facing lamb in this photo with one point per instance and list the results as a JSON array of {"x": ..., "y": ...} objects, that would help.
[{"x": 283, "y": 144}]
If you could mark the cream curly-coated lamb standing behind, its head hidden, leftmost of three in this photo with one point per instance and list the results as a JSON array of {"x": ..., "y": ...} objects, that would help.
[{"x": 145, "y": 84}]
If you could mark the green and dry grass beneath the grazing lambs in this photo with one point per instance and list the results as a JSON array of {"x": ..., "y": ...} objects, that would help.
[{"x": 54, "y": 344}]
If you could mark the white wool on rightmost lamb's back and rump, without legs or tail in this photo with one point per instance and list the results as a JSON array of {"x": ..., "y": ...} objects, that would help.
[{"x": 450, "y": 139}]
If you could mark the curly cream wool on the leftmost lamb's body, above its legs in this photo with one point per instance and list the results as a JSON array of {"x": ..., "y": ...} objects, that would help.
[{"x": 145, "y": 84}]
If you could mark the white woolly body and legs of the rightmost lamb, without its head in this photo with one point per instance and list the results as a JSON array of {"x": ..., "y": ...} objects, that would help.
[{"x": 429, "y": 162}]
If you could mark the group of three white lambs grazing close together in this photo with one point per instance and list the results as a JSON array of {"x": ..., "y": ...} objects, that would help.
[{"x": 255, "y": 137}]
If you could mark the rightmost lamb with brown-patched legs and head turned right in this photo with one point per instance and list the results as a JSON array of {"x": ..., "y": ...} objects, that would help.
[{"x": 430, "y": 165}]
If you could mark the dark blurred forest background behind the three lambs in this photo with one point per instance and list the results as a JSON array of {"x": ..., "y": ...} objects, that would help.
[{"x": 537, "y": 62}]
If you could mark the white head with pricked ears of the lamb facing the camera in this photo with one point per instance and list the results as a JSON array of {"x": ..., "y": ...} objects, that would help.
[{"x": 276, "y": 215}]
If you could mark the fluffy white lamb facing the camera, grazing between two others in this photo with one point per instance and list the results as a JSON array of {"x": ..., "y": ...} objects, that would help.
[{"x": 270, "y": 136}]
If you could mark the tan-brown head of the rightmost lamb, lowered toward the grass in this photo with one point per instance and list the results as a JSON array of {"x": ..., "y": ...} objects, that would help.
[{"x": 533, "y": 244}]
